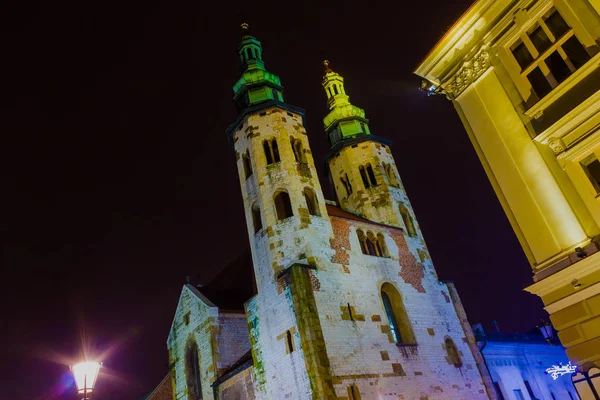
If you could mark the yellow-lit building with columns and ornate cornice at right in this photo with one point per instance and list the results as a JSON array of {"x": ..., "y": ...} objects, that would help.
[{"x": 524, "y": 78}]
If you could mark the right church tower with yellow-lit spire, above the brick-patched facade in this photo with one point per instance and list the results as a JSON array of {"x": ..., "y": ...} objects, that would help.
[{"x": 362, "y": 168}]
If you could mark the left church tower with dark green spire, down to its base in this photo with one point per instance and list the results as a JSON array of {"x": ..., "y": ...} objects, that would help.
[{"x": 288, "y": 226}]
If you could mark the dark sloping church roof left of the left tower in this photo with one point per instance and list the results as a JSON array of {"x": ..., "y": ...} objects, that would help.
[{"x": 234, "y": 285}]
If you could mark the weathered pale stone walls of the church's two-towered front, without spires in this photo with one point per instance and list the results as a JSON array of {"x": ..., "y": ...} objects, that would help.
[{"x": 356, "y": 350}]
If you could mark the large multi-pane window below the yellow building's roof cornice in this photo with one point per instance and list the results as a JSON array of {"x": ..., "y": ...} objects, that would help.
[{"x": 549, "y": 53}]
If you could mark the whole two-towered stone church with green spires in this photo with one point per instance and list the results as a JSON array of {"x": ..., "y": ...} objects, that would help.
[{"x": 335, "y": 299}]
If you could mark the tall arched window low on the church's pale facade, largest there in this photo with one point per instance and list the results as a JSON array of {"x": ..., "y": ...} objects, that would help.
[{"x": 400, "y": 328}]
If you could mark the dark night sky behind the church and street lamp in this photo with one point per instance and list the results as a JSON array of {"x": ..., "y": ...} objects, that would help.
[{"x": 118, "y": 181}]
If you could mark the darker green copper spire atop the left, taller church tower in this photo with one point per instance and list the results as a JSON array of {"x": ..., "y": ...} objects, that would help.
[{"x": 256, "y": 85}]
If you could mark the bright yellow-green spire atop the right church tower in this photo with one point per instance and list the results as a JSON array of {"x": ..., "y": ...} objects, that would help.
[{"x": 344, "y": 120}]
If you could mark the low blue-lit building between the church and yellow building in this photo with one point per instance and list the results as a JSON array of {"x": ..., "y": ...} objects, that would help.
[{"x": 518, "y": 363}]
